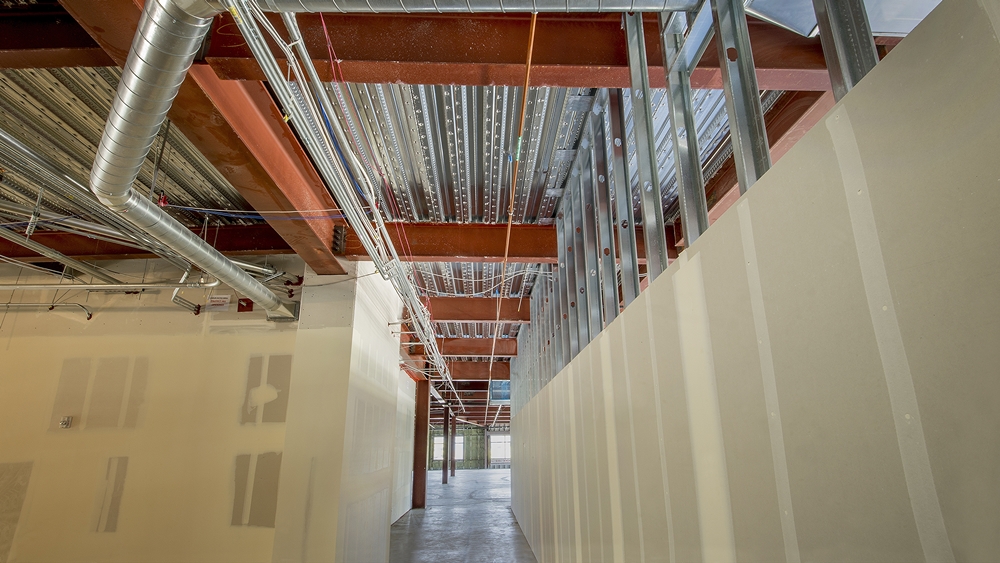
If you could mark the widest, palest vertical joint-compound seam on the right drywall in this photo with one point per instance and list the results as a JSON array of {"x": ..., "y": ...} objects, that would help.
[{"x": 715, "y": 514}]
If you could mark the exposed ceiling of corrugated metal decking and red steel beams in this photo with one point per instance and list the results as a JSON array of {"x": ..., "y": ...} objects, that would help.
[{"x": 431, "y": 104}]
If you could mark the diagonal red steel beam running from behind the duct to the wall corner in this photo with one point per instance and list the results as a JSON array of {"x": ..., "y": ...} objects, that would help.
[{"x": 274, "y": 183}]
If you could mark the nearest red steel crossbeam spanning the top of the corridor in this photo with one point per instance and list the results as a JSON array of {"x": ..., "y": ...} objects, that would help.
[{"x": 571, "y": 50}]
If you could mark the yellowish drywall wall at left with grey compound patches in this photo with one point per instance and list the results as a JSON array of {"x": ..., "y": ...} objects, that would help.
[{"x": 218, "y": 437}]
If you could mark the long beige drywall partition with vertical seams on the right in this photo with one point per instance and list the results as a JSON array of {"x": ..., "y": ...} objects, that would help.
[{"x": 815, "y": 379}]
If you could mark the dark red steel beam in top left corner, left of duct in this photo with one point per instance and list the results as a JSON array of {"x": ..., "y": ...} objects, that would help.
[{"x": 47, "y": 41}]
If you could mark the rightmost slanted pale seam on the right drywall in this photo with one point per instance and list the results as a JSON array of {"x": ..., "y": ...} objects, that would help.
[{"x": 902, "y": 394}]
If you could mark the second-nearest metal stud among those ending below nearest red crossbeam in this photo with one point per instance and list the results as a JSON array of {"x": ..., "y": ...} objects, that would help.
[{"x": 605, "y": 217}]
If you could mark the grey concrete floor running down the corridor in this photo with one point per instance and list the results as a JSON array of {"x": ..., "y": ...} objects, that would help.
[{"x": 467, "y": 520}]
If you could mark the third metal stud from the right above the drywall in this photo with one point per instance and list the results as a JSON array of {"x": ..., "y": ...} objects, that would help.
[{"x": 683, "y": 125}]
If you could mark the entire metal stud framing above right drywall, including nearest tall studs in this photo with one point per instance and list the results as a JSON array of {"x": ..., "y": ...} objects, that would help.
[{"x": 620, "y": 153}]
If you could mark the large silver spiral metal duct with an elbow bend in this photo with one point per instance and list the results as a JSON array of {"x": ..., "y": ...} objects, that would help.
[{"x": 170, "y": 32}]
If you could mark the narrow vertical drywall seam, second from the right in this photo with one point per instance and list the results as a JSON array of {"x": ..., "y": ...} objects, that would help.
[{"x": 787, "y": 516}]
